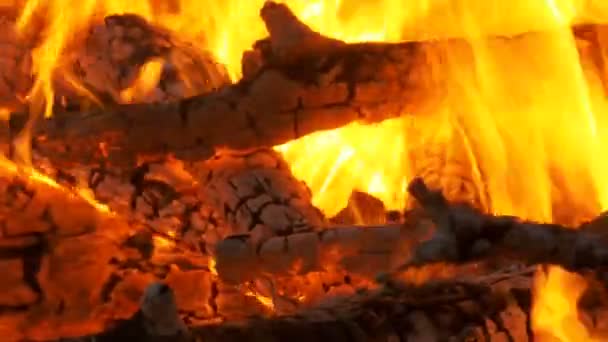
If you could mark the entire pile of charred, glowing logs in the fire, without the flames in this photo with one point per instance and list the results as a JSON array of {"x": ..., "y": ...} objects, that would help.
[{"x": 182, "y": 202}]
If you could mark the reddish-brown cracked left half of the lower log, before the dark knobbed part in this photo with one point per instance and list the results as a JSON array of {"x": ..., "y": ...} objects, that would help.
[{"x": 362, "y": 250}]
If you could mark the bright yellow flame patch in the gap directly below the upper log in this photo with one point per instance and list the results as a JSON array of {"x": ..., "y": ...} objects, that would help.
[{"x": 336, "y": 162}]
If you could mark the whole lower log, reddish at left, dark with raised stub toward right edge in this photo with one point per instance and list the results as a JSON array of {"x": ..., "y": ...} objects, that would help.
[{"x": 458, "y": 234}]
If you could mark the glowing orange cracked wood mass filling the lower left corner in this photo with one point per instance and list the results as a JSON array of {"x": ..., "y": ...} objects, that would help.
[{"x": 70, "y": 268}]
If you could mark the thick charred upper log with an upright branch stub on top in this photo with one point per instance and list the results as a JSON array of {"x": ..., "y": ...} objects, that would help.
[{"x": 286, "y": 93}]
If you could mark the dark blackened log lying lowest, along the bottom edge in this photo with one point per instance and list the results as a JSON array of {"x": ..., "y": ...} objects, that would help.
[{"x": 492, "y": 308}]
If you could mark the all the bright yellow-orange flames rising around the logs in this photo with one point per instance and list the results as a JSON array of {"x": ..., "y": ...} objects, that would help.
[{"x": 533, "y": 118}]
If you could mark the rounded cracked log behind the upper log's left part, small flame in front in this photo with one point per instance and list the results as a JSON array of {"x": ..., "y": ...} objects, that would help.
[{"x": 116, "y": 51}]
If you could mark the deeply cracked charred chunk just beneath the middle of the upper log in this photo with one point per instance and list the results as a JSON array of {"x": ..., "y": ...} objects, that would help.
[{"x": 256, "y": 195}]
